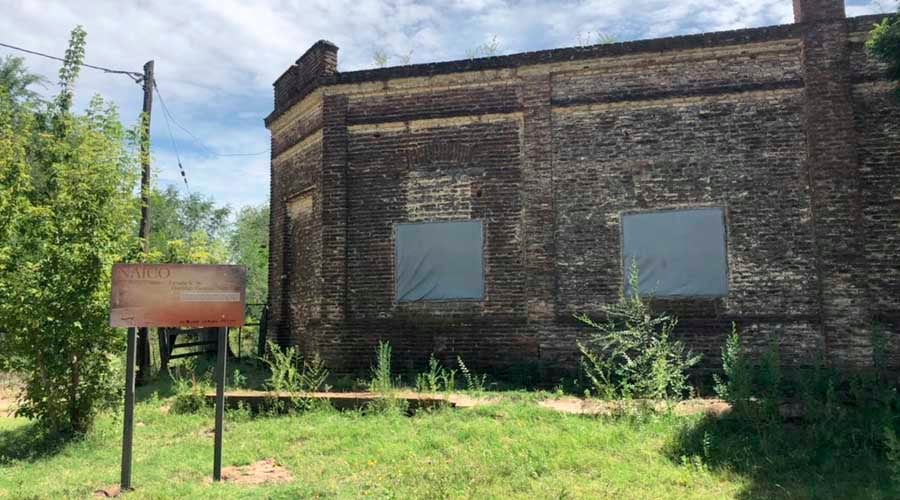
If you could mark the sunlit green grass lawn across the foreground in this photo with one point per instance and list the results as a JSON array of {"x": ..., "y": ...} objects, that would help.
[{"x": 510, "y": 450}]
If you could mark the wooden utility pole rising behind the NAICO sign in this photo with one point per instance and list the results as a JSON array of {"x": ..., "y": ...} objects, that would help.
[{"x": 143, "y": 347}]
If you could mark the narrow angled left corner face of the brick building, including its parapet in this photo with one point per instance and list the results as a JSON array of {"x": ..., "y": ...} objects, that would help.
[{"x": 296, "y": 198}]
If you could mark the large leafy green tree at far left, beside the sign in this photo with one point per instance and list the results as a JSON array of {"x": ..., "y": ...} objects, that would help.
[{"x": 61, "y": 236}]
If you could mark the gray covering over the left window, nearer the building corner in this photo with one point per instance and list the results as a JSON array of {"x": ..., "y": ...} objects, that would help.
[{"x": 439, "y": 261}]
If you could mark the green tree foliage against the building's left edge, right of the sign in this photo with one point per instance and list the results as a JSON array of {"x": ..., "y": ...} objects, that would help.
[{"x": 248, "y": 245}]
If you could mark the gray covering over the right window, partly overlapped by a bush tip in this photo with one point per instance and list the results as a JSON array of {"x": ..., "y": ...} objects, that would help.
[{"x": 678, "y": 253}]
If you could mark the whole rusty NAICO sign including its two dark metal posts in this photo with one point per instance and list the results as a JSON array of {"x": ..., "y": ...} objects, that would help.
[{"x": 175, "y": 295}]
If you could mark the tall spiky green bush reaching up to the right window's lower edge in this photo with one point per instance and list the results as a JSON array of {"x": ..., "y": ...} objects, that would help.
[{"x": 631, "y": 353}]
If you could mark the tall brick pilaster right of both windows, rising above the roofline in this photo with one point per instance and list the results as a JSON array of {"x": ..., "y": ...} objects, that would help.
[{"x": 834, "y": 177}]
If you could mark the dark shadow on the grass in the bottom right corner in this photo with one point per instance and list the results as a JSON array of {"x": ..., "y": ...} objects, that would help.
[{"x": 782, "y": 461}]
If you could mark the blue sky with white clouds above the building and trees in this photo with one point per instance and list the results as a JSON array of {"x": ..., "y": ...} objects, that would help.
[{"x": 215, "y": 60}]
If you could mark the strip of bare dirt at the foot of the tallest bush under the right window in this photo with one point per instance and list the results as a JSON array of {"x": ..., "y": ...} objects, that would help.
[{"x": 577, "y": 406}]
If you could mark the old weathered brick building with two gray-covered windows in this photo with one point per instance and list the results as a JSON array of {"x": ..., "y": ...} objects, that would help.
[{"x": 471, "y": 207}]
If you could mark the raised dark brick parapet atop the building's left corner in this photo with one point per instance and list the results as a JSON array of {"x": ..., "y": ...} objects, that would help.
[{"x": 318, "y": 62}]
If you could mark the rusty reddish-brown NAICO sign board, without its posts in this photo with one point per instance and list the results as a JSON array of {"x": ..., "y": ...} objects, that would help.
[{"x": 177, "y": 295}]
